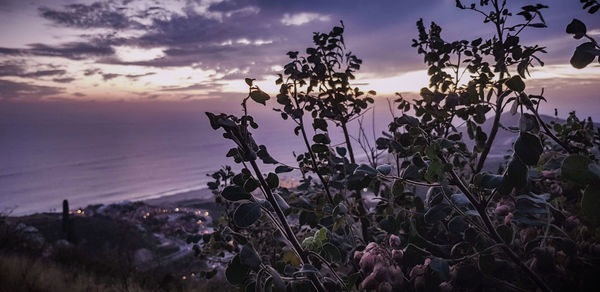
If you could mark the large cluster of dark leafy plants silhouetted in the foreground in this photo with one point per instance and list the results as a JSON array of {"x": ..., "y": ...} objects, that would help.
[{"x": 444, "y": 217}]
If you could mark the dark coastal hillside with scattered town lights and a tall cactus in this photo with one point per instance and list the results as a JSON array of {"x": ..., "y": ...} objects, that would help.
[{"x": 121, "y": 247}]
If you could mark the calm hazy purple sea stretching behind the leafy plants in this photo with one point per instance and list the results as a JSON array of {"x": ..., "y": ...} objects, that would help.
[{"x": 100, "y": 152}]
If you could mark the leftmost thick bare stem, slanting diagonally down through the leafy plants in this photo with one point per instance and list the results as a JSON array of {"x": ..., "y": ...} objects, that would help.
[{"x": 291, "y": 237}]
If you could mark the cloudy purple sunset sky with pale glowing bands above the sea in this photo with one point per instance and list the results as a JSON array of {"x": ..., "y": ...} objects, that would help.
[{"x": 180, "y": 50}]
